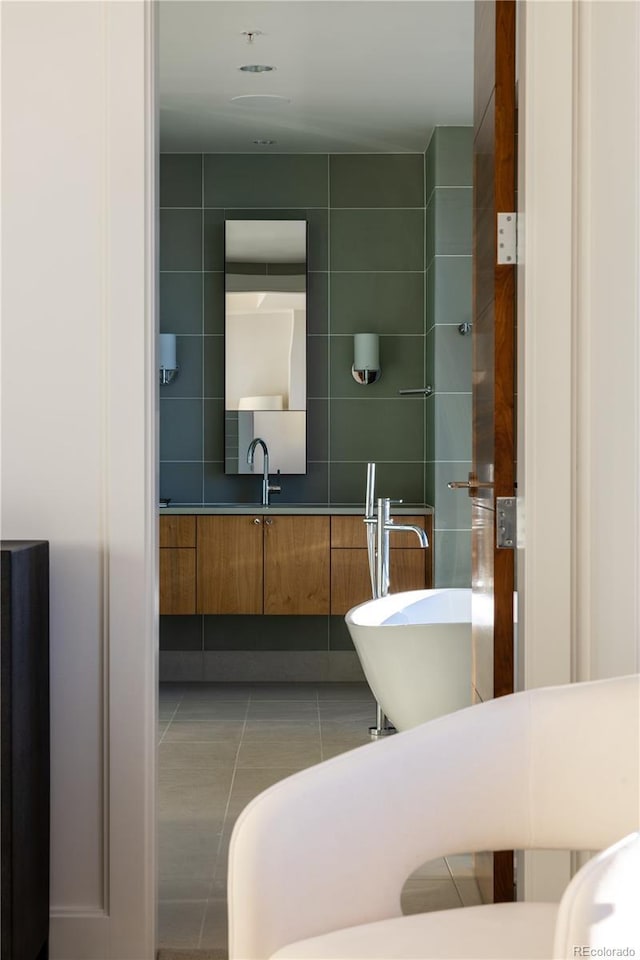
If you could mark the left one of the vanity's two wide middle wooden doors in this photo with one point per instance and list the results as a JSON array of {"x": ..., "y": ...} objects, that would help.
[{"x": 230, "y": 564}]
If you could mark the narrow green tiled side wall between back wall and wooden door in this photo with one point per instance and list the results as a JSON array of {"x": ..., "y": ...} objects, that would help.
[{"x": 448, "y": 238}]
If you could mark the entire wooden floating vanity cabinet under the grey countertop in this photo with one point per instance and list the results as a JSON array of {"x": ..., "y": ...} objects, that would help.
[{"x": 279, "y": 564}]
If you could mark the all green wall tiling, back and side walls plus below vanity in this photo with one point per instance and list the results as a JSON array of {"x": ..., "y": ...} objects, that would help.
[{"x": 389, "y": 252}]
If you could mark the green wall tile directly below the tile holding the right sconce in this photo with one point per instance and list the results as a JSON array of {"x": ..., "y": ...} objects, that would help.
[{"x": 391, "y": 430}]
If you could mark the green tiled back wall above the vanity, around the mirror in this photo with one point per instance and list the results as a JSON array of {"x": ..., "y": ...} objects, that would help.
[{"x": 366, "y": 218}]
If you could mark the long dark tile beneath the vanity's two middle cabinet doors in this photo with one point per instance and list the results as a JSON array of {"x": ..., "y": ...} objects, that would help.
[{"x": 269, "y": 633}]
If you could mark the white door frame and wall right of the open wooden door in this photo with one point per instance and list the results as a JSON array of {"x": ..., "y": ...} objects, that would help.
[{"x": 578, "y": 353}]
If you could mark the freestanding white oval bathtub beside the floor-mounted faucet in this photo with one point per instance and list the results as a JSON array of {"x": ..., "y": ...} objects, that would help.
[{"x": 415, "y": 650}]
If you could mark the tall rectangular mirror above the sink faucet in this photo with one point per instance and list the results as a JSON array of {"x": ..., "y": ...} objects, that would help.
[{"x": 266, "y": 343}]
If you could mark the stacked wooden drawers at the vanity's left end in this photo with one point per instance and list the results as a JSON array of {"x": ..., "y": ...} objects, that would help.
[{"x": 177, "y": 565}]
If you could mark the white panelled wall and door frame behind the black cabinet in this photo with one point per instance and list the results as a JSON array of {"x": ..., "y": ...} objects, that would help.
[{"x": 78, "y": 437}]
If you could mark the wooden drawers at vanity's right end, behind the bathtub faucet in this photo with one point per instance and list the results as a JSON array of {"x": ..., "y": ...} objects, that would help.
[{"x": 410, "y": 565}]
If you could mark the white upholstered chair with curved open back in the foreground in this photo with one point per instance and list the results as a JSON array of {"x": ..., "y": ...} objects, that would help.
[{"x": 317, "y": 862}]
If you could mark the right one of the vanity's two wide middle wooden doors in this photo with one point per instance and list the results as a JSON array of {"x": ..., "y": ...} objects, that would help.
[{"x": 296, "y": 551}]
